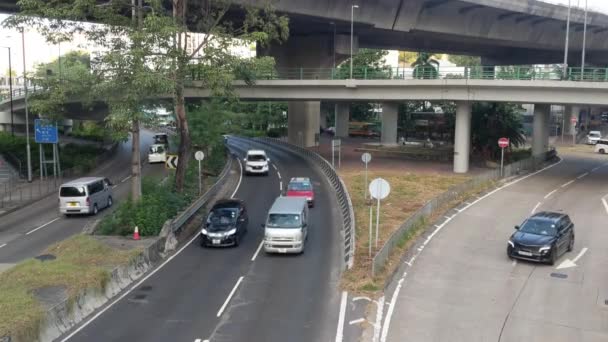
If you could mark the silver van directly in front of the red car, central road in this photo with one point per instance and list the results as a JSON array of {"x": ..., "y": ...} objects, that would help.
[{"x": 286, "y": 227}]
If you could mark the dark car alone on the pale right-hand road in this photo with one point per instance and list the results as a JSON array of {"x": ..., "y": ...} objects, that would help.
[{"x": 543, "y": 237}]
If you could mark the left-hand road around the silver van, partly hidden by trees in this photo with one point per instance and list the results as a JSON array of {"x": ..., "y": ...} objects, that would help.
[{"x": 28, "y": 231}]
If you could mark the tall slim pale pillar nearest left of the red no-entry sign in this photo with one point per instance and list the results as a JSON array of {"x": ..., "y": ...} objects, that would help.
[{"x": 462, "y": 137}]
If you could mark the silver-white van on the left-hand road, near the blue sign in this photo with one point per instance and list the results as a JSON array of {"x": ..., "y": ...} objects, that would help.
[{"x": 85, "y": 196}]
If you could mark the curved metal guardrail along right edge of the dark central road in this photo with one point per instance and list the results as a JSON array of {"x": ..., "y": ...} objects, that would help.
[{"x": 344, "y": 201}]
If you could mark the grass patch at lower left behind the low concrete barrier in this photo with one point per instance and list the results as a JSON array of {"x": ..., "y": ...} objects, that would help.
[{"x": 81, "y": 263}]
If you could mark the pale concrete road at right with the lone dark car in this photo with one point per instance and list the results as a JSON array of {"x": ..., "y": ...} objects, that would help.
[{"x": 462, "y": 286}]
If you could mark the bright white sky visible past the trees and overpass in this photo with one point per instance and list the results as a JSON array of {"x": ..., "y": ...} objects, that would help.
[{"x": 38, "y": 51}]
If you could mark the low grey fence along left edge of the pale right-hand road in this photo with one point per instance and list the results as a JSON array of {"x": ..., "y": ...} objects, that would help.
[{"x": 439, "y": 202}]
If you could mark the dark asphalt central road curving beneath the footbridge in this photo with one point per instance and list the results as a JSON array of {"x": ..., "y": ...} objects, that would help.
[{"x": 239, "y": 294}]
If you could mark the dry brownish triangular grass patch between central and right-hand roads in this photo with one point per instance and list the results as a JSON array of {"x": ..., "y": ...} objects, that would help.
[{"x": 409, "y": 192}]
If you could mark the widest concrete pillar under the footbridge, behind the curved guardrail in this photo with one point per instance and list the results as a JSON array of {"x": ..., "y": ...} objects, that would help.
[{"x": 303, "y": 123}]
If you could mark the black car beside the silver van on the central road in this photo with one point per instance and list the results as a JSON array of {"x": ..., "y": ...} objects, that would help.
[{"x": 226, "y": 224}]
